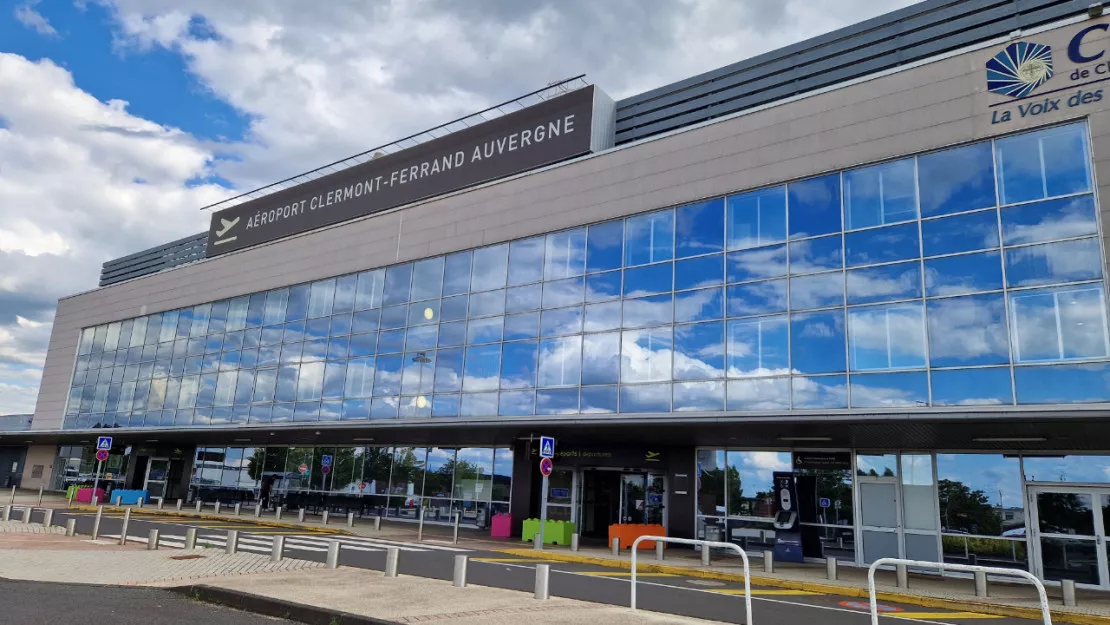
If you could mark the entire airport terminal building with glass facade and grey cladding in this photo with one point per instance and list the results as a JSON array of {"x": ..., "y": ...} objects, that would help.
[{"x": 872, "y": 265}]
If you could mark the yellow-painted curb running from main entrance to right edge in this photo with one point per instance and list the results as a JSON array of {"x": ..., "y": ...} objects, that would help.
[{"x": 995, "y": 610}]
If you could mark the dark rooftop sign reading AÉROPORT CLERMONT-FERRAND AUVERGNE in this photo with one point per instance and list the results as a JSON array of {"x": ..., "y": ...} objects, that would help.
[{"x": 549, "y": 133}]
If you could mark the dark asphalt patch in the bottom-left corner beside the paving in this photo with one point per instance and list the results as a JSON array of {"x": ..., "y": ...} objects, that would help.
[{"x": 38, "y": 603}]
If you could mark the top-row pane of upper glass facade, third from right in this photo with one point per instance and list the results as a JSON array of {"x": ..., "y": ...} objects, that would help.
[{"x": 880, "y": 195}]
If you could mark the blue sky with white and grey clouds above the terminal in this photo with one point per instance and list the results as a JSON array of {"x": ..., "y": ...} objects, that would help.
[{"x": 122, "y": 119}]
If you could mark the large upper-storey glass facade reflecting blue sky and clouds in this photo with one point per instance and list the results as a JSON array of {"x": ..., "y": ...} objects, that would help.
[{"x": 965, "y": 277}]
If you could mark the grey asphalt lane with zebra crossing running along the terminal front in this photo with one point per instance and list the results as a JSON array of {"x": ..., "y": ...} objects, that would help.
[{"x": 697, "y": 598}]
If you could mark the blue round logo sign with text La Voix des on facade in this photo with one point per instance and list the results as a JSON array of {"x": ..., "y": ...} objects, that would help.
[{"x": 1046, "y": 74}]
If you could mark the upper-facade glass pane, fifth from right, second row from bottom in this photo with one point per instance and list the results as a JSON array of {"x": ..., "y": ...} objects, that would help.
[{"x": 759, "y": 347}]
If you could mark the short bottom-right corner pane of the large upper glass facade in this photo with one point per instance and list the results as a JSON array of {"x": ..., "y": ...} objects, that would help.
[{"x": 1063, "y": 385}]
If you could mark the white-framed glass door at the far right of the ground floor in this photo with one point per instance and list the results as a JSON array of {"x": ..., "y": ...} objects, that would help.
[{"x": 1071, "y": 531}]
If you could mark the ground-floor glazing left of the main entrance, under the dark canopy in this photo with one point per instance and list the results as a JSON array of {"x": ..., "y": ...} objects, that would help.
[{"x": 393, "y": 482}]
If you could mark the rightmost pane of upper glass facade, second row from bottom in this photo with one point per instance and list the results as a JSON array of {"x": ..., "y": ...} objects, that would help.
[{"x": 1053, "y": 325}]
